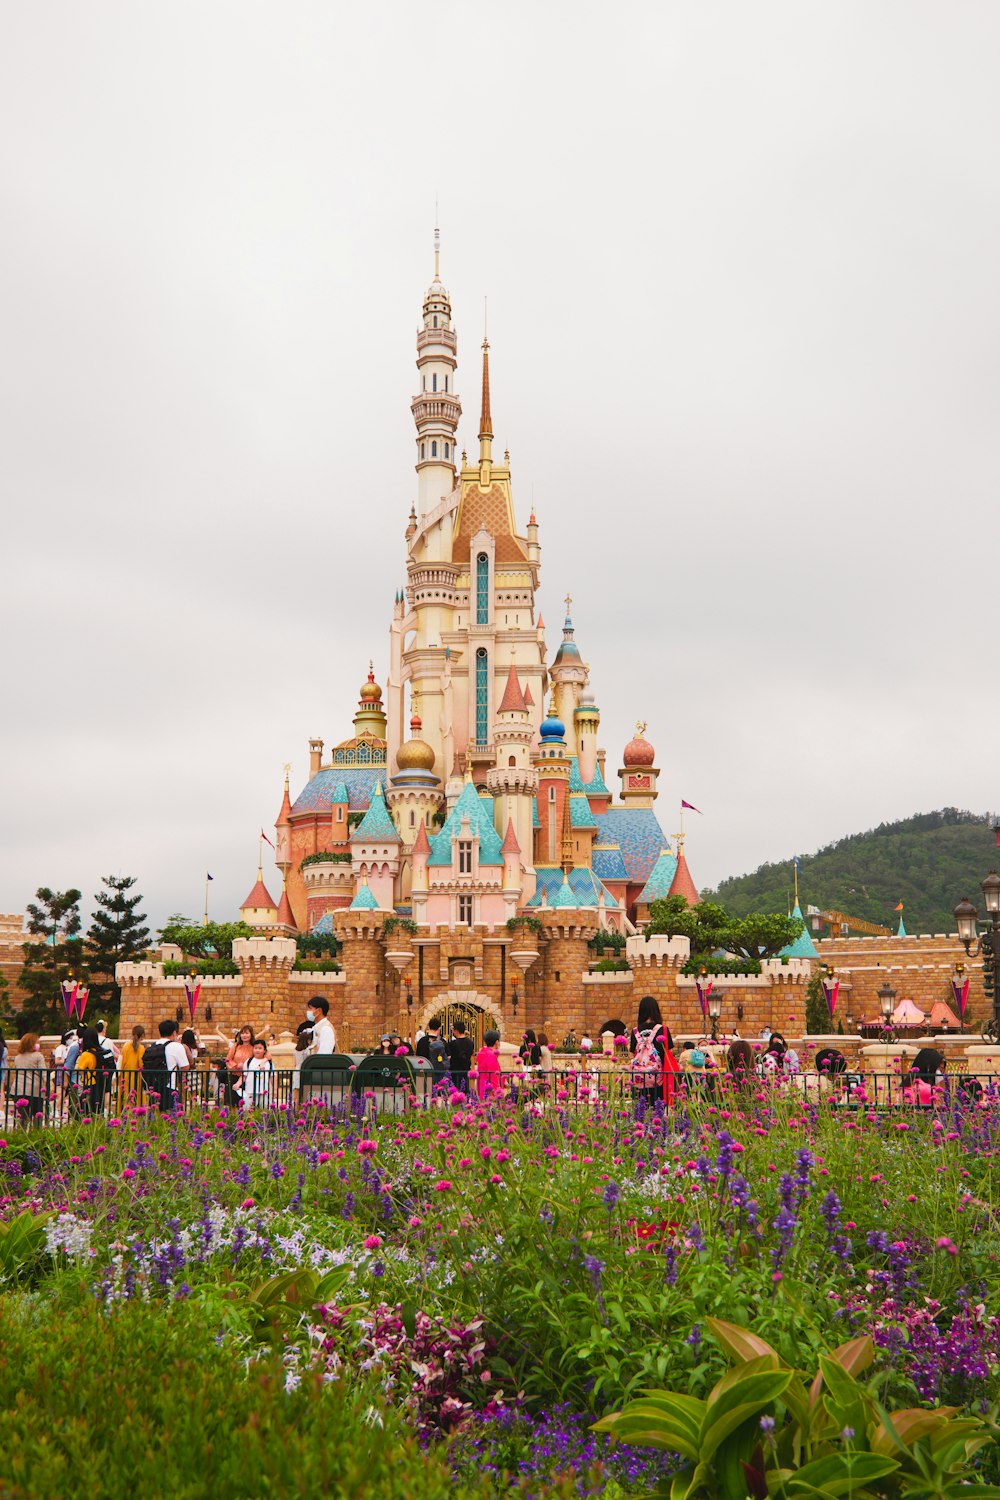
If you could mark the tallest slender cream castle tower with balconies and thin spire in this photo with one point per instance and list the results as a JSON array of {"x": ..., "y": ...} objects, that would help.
[{"x": 437, "y": 407}]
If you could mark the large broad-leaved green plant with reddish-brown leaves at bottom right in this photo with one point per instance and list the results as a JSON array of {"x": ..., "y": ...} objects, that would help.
[{"x": 764, "y": 1432}]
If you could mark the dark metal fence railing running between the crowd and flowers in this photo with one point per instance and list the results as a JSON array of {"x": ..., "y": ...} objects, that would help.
[{"x": 52, "y": 1097}]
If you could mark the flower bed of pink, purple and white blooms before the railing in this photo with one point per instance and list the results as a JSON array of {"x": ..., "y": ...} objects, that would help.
[{"x": 487, "y": 1283}]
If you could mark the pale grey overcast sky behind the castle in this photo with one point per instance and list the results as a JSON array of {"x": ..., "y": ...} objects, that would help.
[{"x": 741, "y": 266}]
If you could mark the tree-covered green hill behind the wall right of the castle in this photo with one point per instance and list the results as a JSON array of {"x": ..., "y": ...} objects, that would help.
[{"x": 929, "y": 863}]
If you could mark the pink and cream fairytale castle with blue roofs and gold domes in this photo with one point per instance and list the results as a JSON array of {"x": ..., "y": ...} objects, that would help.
[{"x": 472, "y": 865}]
